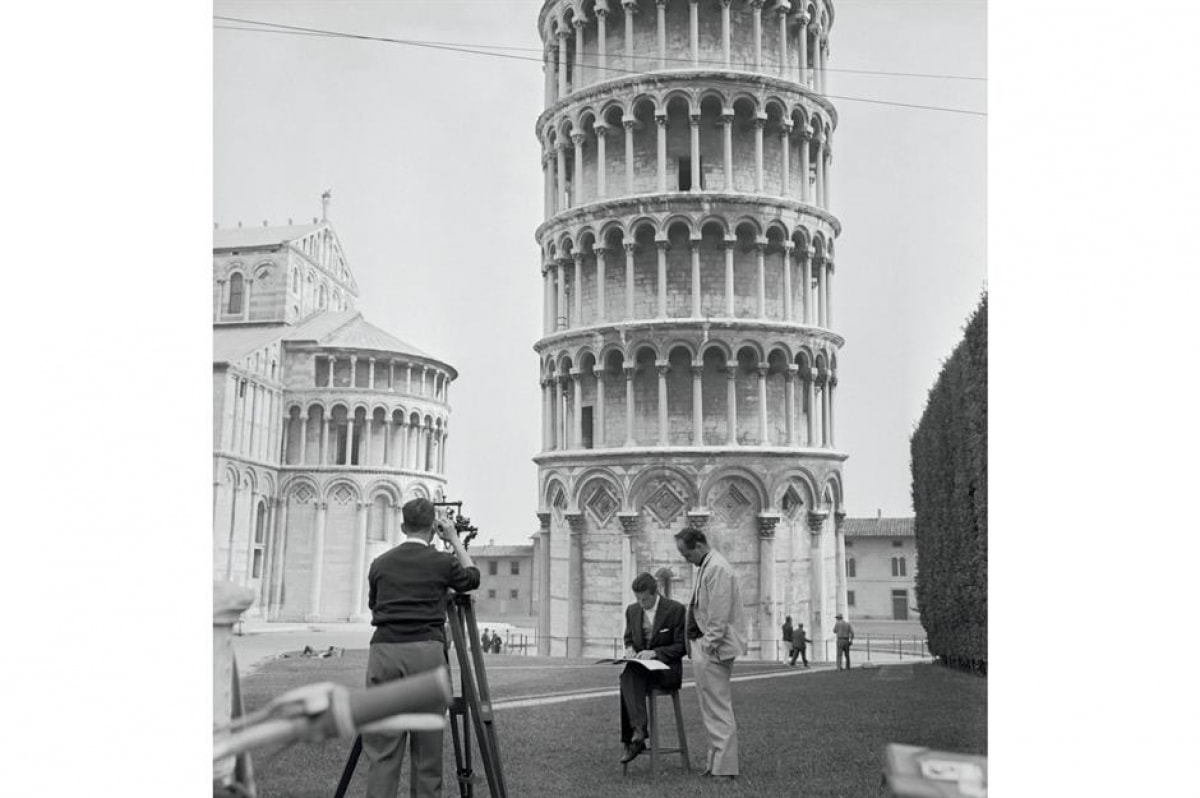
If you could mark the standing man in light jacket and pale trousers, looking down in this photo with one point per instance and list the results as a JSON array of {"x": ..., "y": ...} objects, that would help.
[{"x": 716, "y": 633}]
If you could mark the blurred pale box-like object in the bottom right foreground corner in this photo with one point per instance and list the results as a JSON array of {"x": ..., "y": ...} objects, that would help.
[{"x": 913, "y": 772}]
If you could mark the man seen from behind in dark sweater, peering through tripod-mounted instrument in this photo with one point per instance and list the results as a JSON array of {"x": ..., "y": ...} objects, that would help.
[{"x": 409, "y": 609}]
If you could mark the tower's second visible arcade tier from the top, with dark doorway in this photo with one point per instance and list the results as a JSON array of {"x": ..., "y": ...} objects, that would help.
[{"x": 649, "y": 135}]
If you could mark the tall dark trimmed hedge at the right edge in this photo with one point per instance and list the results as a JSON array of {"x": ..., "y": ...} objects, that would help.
[{"x": 950, "y": 497}]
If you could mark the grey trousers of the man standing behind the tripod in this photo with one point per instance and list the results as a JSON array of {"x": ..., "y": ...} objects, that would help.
[{"x": 386, "y": 753}]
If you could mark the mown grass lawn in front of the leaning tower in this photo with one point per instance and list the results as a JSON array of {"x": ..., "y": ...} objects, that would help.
[{"x": 818, "y": 734}]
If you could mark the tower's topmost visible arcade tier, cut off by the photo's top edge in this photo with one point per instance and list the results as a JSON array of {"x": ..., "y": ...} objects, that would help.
[{"x": 593, "y": 41}]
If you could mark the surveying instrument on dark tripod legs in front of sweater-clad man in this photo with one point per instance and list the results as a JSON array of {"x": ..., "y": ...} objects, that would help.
[{"x": 472, "y": 709}]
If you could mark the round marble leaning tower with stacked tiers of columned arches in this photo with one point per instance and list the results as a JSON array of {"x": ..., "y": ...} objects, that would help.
[{"x": 689, "y": 358}]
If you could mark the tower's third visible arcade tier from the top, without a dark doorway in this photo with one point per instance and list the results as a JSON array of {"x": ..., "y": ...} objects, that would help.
[{"x": 674, "y": 265}]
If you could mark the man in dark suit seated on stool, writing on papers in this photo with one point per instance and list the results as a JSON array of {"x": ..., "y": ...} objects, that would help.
[{"x": 655, "y": 629}]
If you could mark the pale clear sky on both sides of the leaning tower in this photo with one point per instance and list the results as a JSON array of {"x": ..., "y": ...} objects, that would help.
[{"x": 437, "y": 190}]
